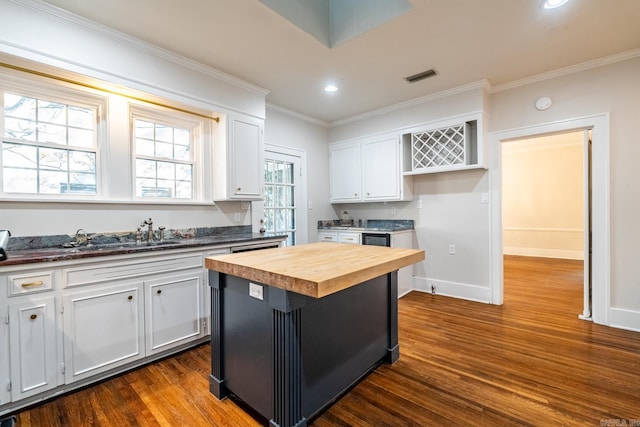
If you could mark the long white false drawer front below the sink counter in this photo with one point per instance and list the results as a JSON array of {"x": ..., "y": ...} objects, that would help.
[{"x": 122, "y": 270}]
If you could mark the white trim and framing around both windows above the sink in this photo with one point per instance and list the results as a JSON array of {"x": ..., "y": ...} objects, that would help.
[{"x": 113, "y": 134}]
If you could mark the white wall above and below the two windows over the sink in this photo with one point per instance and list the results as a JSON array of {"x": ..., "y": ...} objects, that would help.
[{"x": 63, "y": 44}]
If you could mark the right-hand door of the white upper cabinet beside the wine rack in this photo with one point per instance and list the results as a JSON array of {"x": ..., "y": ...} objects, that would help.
[{"x": 381, "y": 169}]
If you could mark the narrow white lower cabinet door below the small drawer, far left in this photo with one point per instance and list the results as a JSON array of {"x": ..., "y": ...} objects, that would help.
[{"x": 32, "y": 329}]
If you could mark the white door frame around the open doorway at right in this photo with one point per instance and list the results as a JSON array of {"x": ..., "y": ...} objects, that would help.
[{"x": 600, "y": 209}]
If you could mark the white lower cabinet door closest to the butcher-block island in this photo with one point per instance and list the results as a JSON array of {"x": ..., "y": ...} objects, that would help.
[{"x": 173, "y": 311}]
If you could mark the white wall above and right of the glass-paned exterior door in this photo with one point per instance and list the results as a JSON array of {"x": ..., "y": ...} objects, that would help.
[{"x": 286, "y": 130}]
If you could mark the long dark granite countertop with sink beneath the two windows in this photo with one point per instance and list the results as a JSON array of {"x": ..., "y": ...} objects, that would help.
[{"x": 28, "y": 255}]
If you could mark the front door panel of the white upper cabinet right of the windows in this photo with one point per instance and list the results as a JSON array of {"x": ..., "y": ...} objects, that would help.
[{"x": 246, "y": 176}]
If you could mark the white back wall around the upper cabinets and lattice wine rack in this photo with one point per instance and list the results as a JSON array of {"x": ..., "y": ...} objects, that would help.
[{"x": 452, "y": 212}]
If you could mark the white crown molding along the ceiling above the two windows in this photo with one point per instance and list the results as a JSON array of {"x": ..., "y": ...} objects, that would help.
[{"x": 126, "y": 39}]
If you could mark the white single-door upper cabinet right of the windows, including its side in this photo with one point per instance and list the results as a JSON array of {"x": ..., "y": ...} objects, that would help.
[{"x": 238, "y": 159}]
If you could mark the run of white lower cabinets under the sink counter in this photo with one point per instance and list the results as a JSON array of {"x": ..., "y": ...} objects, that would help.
[{"x": 64, "y": 325}]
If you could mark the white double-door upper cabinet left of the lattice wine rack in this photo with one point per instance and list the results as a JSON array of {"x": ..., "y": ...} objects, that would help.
[{"x": 368, "y": 170}]
